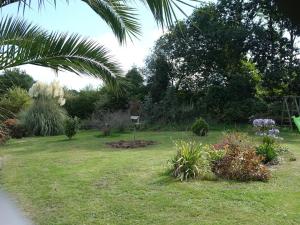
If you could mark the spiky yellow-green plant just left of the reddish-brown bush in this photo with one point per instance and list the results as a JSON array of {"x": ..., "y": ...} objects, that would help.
[{"x": 192, "y": 161}]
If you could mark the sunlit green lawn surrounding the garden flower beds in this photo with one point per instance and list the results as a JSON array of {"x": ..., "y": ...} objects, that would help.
[{"x": 81, "y": 181}]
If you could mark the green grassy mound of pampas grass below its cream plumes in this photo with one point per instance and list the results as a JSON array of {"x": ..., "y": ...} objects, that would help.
[{"x": 44, "y": 118}]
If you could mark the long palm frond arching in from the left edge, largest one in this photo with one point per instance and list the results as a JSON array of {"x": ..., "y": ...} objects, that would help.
[{"x": 22, "y": 43}]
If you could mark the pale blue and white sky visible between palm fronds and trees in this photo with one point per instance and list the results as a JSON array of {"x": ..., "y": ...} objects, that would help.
[{"x": 77, "y": 17}]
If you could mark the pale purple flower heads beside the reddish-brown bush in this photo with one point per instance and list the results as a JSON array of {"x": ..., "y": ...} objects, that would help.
[{"x": 266, "y": 127}]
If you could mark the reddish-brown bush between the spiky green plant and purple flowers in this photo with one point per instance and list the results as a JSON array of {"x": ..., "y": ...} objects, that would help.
[{"x": 240, "y": 161}]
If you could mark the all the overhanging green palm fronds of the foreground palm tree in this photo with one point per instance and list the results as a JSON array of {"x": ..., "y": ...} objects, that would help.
[{"x": 23, "y": 43}]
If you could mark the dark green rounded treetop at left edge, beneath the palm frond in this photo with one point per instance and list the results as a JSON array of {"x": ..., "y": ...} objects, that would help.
[{"x": 15, "y": 78}]
